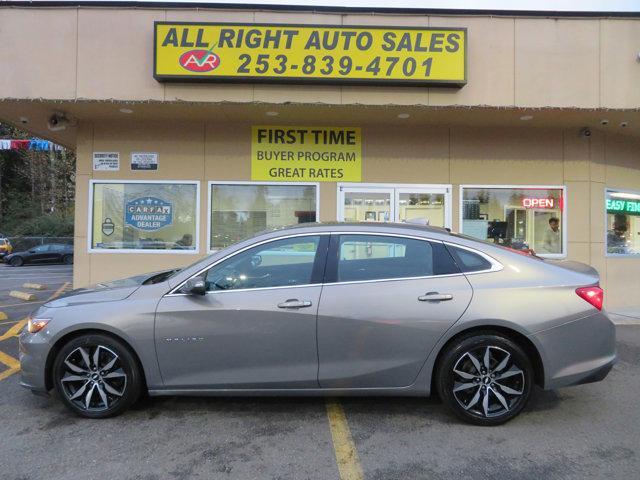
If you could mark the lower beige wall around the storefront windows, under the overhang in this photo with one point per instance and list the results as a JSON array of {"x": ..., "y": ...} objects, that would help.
[{"x": 440, "y": 155}]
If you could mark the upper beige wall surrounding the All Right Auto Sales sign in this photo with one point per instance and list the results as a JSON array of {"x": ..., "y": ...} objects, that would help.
[{"x": 106, "y": 53}]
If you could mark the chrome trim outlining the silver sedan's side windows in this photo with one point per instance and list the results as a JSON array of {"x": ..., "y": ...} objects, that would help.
[{"x": 495, "y": 265}]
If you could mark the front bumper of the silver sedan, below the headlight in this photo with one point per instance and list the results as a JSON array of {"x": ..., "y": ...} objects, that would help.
[{"x": 33, "y": 351}]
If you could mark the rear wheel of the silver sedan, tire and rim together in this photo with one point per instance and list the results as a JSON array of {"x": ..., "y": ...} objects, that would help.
[{"x": 464, "y": 382}]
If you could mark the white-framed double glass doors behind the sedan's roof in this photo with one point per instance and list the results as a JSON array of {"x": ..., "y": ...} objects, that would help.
[{"x": 425, "y": 204}]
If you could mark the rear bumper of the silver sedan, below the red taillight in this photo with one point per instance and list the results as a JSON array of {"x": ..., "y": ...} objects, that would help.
[{"x": 578, "y": 352}]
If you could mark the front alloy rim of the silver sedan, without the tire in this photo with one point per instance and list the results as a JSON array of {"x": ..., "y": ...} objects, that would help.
[{"x": 92, "y": 378}]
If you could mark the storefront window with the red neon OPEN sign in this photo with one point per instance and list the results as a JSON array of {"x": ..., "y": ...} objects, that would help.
[{"x": 529, "y": 219}]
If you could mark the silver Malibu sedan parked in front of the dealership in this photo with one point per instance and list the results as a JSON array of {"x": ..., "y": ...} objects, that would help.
[{"x": 330, "y": 309}]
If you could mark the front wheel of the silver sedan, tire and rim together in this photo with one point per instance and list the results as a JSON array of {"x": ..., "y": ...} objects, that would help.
[{"x": 96, "y": 392}]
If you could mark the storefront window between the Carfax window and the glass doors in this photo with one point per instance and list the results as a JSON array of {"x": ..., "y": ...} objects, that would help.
[{"x": 239, "y": 211}]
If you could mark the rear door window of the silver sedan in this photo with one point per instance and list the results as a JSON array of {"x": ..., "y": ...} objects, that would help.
[{"x": 373, "y": 257}]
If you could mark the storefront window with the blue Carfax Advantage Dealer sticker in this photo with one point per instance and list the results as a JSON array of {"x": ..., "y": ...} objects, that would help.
[{"x": 144, "y": 216}]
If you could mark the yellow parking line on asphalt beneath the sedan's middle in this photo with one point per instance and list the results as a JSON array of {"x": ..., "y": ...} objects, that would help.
[{"x": 343, "y": 445}]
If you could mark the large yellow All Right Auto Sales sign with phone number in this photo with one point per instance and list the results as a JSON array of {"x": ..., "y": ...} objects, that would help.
[{"x": 303, "y": 53}]
